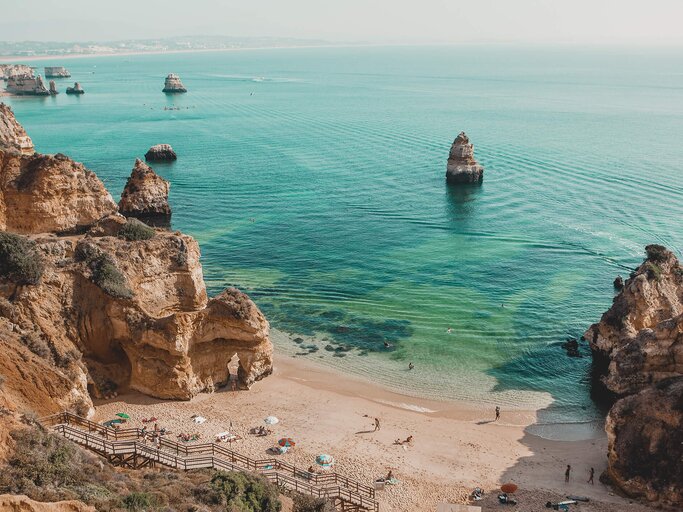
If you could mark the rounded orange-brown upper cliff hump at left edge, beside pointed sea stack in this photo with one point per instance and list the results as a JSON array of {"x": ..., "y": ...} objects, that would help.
[{"x": 44, "y": 193}]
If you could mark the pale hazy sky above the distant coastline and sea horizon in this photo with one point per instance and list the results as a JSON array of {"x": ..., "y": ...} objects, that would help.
[{"x": 574, "y": 21}]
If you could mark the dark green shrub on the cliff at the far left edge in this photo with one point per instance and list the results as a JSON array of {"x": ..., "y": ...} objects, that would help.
[{"x": 20, "y": 261}]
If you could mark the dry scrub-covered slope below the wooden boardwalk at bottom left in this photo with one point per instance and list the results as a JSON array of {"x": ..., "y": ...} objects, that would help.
[{"x": 48, "y": 468}]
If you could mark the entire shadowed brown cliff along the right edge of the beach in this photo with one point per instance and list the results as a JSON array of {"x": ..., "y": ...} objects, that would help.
[{"x": 638, "y": 348}]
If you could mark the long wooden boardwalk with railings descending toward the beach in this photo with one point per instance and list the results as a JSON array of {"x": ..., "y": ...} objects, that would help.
[{"x": 127, "y": 448}]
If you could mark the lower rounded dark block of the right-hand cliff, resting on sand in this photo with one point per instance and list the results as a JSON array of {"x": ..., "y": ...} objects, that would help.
[{"x": 645, "y": 433}]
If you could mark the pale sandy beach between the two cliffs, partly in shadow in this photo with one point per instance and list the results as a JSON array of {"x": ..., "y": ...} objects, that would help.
[{"x": 455, "y": 447}]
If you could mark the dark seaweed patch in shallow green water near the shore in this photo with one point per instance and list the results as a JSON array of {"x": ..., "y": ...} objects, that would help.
[{"x": 343, "y": 329}]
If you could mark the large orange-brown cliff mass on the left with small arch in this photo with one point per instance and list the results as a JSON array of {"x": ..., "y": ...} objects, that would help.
[{"x": 114, "y": 305}]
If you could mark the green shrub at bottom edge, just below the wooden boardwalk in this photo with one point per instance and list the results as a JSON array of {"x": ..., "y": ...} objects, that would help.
[{"x": 244, "y": 492}]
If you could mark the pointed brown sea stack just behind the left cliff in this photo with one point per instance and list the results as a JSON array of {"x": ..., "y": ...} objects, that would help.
[{"x": 145, "y": 196}]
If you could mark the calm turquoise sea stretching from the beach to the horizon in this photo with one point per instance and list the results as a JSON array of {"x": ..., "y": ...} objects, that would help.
[{"x": 314, "y": 180}]
